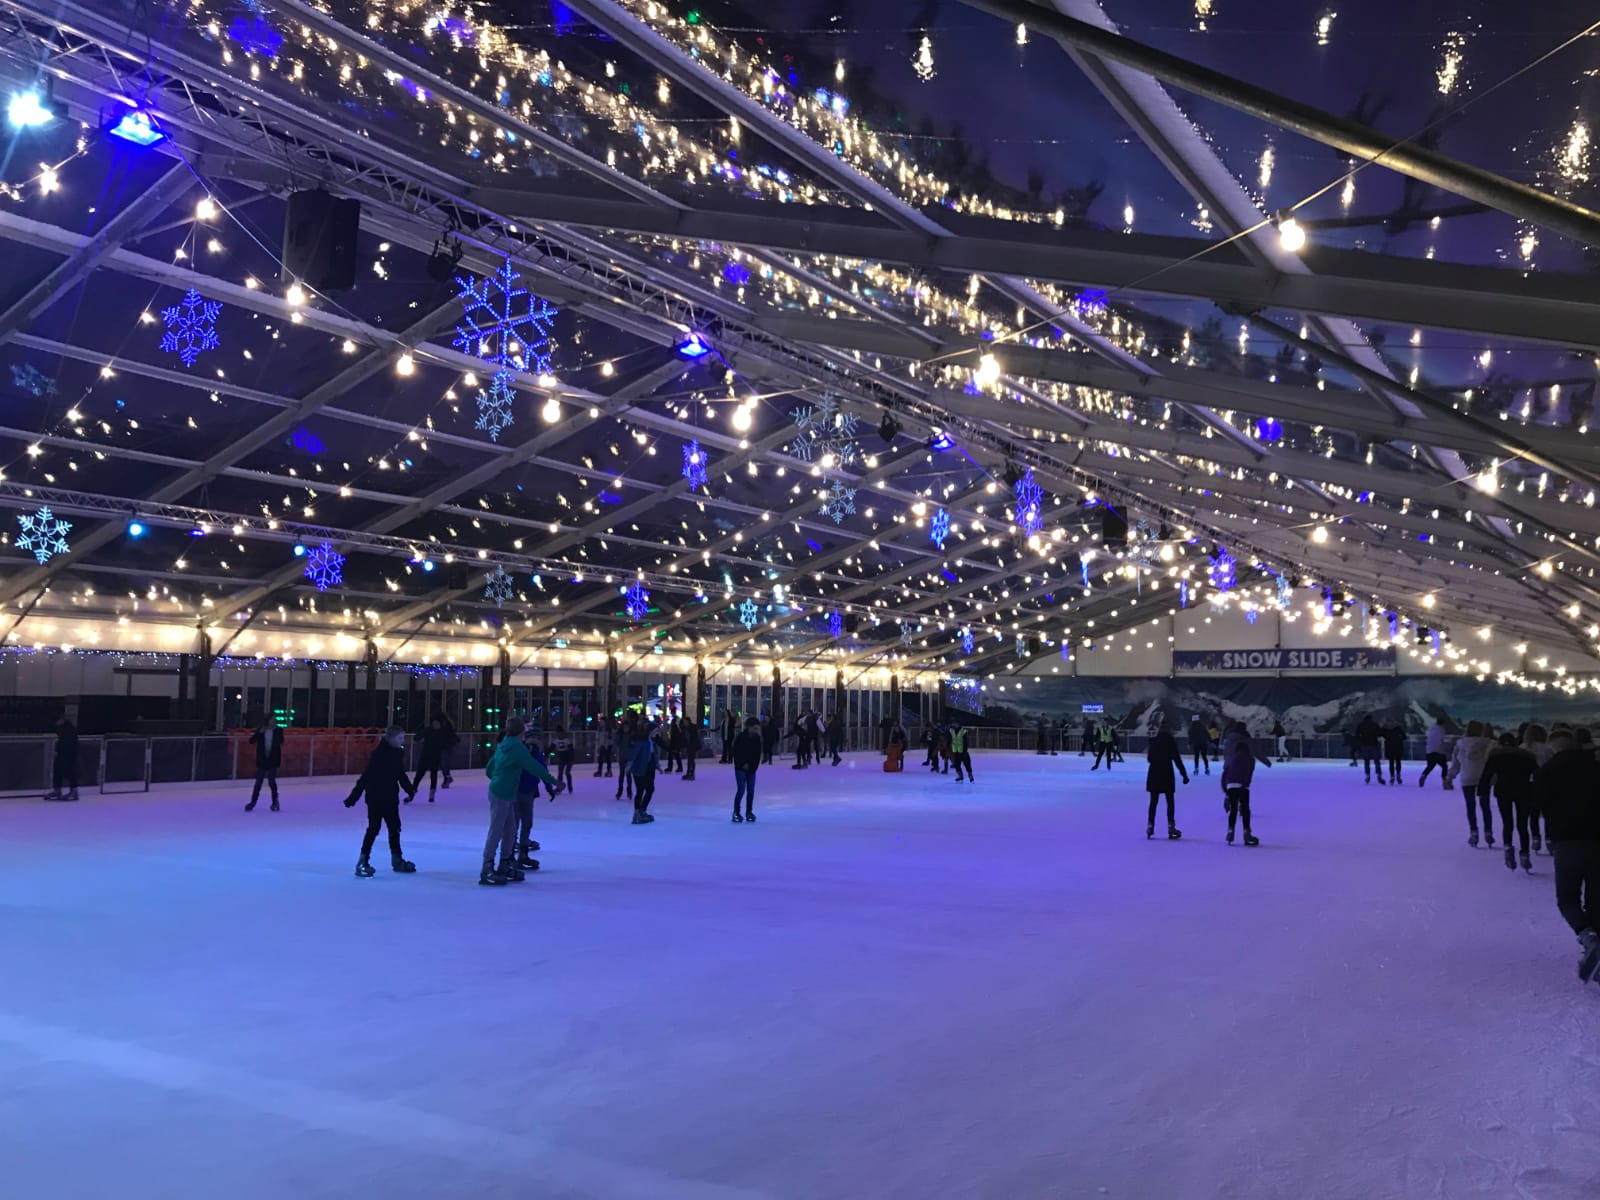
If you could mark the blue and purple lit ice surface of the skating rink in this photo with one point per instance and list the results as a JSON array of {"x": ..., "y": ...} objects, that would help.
[{"x": 890, "y": 986}]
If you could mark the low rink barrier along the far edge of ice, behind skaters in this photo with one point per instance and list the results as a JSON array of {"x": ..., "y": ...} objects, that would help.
[{"x": 116, "y": 762}]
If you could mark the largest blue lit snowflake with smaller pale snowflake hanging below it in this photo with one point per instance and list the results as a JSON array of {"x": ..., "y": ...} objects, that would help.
[{"x": 506, "y": 326}]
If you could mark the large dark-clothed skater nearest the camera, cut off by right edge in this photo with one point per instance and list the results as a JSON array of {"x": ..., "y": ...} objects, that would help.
[{"x": 1567, "y": 790}]
